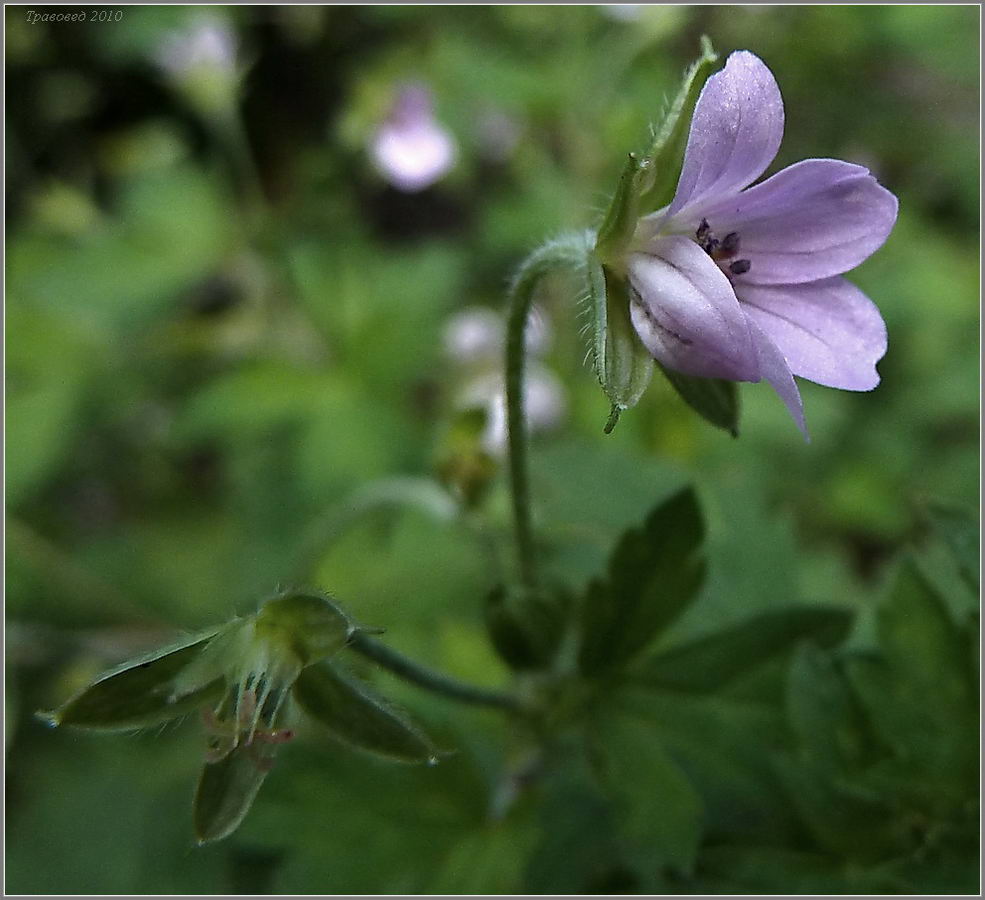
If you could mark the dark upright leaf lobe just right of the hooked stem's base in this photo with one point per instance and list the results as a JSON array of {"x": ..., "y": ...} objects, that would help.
[{"x": 653, "y": 575}]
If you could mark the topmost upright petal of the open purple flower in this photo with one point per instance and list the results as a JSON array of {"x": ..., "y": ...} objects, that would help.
[{"x": 735, "y": 132}]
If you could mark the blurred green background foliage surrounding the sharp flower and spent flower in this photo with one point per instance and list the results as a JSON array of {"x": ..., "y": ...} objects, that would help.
[{"x": 233, "y": 364}]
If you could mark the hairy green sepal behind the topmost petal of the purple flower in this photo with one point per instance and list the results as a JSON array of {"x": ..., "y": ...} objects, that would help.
[{"x": 662, "y": 161}]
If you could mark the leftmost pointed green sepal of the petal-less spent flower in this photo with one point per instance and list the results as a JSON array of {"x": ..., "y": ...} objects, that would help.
[{"x": 140, "y": 691}]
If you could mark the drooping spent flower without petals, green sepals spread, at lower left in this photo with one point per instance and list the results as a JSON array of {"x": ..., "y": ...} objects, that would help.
[{"x": 248, "y": 680}]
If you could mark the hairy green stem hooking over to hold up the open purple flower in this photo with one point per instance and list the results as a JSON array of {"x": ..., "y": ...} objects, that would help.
[{"x": 568, "y": 252}]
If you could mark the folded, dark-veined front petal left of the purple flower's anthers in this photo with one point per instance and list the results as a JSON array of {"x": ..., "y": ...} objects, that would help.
[{"x": 685, "y": 312}]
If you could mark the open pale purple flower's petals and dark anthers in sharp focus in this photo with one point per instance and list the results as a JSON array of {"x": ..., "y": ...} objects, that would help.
[{"x": 745, "y": 283}]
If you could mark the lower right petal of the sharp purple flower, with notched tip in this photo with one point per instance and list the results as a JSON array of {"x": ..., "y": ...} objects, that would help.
[{"x": 828, "y": 330}]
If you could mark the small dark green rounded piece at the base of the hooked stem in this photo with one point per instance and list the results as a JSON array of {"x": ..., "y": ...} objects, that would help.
[{"x": 526, "y": 626}]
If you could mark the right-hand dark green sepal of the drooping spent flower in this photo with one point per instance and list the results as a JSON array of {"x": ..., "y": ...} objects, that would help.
[{"x": 359, "y": 717}]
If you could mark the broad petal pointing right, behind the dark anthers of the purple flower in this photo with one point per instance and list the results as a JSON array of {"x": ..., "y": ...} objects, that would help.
[{"x": 814, "y": 219}]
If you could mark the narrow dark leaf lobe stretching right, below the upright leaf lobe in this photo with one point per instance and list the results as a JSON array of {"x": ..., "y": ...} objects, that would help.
[{"x": 710, "y": 663}]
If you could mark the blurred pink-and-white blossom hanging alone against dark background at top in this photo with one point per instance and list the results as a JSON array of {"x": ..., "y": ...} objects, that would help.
[{"x": 411, "y": 150}]
